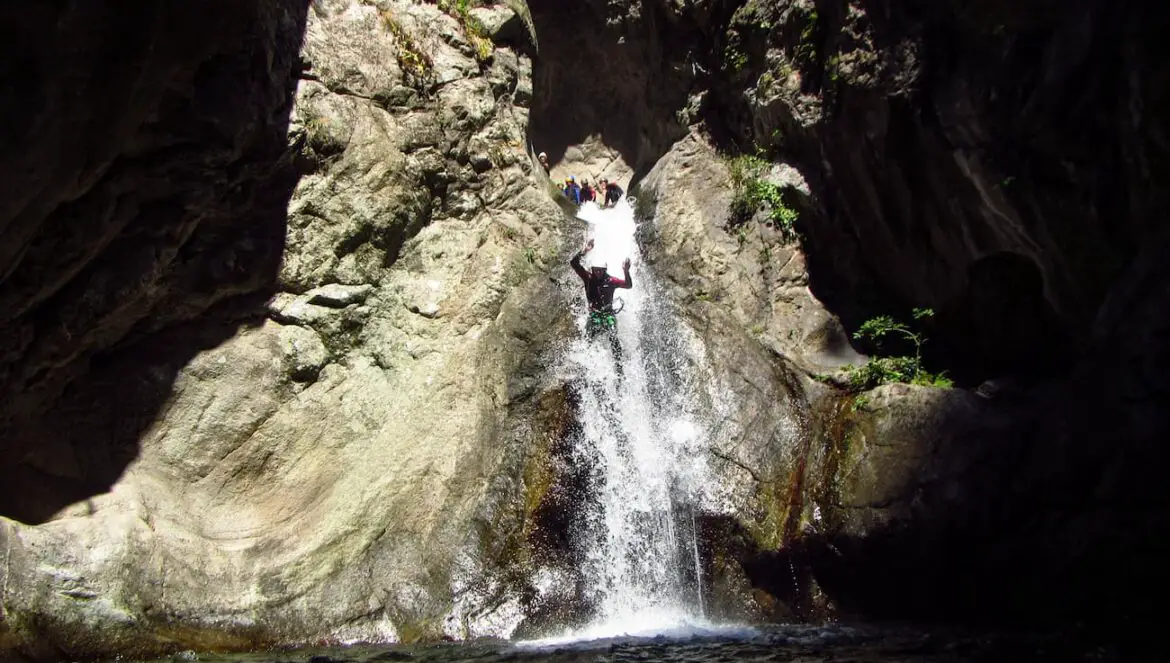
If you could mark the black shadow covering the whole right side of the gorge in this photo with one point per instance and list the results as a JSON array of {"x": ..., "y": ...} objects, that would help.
[{"x": 1045, "y": 506}]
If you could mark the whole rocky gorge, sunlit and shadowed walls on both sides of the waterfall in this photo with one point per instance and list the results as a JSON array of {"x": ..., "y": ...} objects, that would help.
[{"x": 285, "y": 287}]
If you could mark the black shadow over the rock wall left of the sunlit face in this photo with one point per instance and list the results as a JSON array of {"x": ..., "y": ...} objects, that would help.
[{"x": 157, "y": 230}]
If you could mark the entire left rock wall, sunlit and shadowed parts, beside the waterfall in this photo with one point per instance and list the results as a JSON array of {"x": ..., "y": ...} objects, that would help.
[{"x": 321, "y": 467}]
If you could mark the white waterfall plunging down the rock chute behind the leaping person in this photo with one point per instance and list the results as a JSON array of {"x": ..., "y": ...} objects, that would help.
[{"x": 641, "y": 432}]
